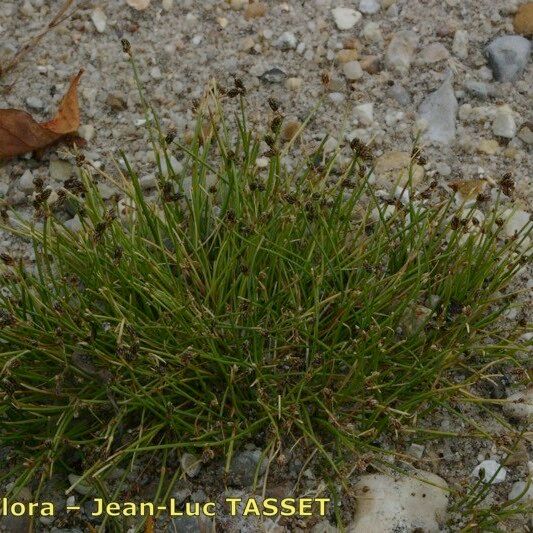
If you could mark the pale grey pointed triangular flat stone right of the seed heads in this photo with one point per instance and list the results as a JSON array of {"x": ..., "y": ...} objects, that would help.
[{"x": 439, "y": 111}]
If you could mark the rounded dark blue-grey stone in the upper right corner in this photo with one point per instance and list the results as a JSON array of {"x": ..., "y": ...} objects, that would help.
[{"x": 508, "y": 56}]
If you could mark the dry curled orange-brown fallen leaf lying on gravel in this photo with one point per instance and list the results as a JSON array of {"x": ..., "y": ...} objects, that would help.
[{"x": 21, "y": 133}]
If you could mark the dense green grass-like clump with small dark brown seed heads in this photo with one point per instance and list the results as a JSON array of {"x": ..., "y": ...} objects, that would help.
[{"x": 244, "y": 303}]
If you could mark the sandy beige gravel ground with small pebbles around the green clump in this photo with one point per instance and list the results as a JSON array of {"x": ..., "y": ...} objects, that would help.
[{"x": 386, "y": 70}]
